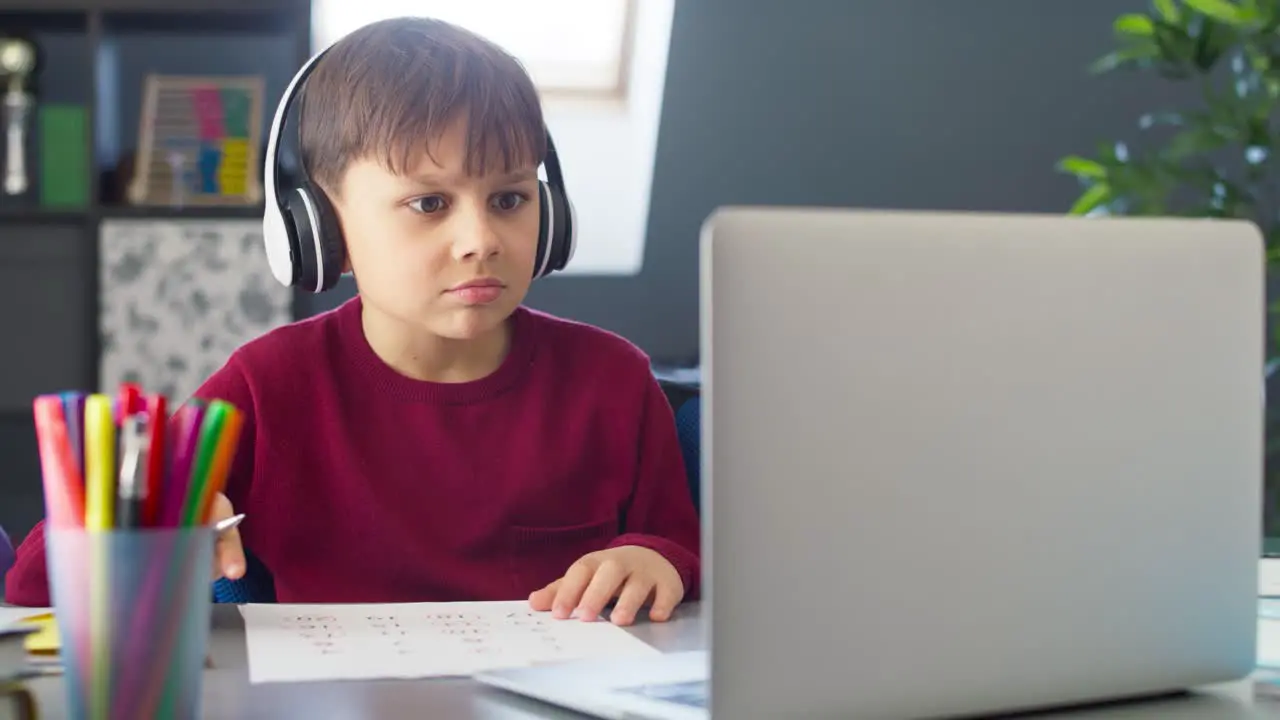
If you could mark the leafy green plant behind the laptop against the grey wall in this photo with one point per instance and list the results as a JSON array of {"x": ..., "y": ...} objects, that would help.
[{"x": 1217, "y": 160}]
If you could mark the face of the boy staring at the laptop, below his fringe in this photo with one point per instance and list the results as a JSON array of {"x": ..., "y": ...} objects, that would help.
[{"x": 438, "y": 250}]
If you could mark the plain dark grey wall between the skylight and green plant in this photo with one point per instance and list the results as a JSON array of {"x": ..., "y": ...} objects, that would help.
[{"x": 916, "y": 104}]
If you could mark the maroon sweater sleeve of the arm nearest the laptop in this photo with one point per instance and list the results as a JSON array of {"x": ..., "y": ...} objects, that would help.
[{"x": 661, "y": 514}]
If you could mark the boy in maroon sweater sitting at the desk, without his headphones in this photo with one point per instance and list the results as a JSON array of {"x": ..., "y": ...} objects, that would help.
[{"x": 433, "y": 440}]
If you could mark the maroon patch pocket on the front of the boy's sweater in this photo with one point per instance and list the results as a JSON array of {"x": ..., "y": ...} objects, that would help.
[{"x": 541, "y": 555}]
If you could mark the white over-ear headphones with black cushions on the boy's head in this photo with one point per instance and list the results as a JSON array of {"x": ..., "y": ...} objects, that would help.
[{"x": 304, "y": 240}]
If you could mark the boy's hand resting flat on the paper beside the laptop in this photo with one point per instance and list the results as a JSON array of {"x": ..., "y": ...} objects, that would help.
[{"x": 636, "y": 576}]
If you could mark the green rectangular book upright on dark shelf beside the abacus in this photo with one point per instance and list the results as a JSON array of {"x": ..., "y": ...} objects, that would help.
[{"x": 65, "y": 158}]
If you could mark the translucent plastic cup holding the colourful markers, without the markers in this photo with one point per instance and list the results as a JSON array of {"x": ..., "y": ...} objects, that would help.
[{"x": 134, "y": 614}]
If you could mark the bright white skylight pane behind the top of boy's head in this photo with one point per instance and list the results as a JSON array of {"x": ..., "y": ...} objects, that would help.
[{"x": 569, "y": 47}]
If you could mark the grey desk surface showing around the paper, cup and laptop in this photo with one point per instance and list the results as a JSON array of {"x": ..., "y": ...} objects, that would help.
[{"x": 230, "y": 695}]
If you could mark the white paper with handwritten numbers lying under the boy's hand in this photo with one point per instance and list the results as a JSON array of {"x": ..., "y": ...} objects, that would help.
[{"x": 350, "y": 642}]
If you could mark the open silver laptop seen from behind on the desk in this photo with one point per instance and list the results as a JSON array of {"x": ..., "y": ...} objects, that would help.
[{"x": 963, "y": 464}]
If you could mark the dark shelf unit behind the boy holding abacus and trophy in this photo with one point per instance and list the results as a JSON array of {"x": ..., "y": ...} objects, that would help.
[{"x": 95, "y": 56}]
